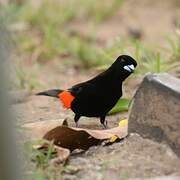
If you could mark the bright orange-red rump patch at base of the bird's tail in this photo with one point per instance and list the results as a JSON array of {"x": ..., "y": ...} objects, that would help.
[{"x": 66, "y": 98}]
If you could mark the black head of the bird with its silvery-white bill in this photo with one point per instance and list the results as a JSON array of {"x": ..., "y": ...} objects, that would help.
[{"x": 124, "y": 65}]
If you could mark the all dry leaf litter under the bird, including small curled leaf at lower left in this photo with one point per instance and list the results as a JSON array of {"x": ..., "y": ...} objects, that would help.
[{"x": 67, "y": 139}]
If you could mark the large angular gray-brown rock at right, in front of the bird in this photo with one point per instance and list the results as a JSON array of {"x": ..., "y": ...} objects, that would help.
[{"x": 155, "y": 109}]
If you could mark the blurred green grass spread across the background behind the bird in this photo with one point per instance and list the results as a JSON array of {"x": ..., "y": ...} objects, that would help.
[{"x": 45, "y": 34}]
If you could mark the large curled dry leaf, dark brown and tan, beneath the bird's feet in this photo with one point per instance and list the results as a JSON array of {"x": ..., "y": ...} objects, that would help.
[{"x": 75, "y": 138}]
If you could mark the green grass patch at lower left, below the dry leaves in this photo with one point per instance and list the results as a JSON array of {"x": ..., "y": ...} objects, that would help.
[{"x": 38, "y": 162}]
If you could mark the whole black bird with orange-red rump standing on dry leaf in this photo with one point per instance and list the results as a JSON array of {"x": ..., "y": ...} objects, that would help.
[{"x": 97, "y": 96}]
